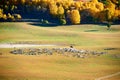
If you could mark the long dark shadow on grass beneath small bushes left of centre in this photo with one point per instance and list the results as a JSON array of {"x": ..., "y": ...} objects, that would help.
[{"x": 43, "y": 25}]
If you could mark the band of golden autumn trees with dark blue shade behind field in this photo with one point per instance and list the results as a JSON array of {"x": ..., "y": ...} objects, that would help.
[{"x": 62, "y": 11}]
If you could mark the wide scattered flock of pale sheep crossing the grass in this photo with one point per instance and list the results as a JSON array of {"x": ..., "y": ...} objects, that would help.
[{"x": 62, "y": 51}]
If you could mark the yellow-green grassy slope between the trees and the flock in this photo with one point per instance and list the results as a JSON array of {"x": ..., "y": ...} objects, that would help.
[{"x": 81, "y": 35}]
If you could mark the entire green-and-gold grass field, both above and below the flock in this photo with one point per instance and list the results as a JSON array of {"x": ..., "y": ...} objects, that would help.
[{"x": 57, "y": 67}]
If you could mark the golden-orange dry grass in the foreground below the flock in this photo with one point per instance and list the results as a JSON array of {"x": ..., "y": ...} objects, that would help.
[{"x": 55, "y": 67}]
